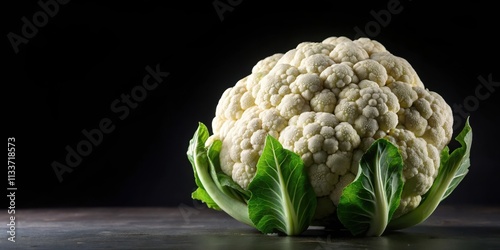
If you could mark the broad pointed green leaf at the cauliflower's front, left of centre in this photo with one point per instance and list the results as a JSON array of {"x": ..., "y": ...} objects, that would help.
[{"x": 283, "y": 200}]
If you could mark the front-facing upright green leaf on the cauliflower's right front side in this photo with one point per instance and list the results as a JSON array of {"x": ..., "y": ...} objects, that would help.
[{"x": 368, "y": 203}]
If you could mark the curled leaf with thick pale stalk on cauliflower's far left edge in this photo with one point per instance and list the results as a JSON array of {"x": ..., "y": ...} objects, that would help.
[{"x": 210, "y": 190}]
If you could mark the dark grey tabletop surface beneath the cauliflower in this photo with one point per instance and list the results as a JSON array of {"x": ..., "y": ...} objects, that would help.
[{"x": 196, "y": 227}]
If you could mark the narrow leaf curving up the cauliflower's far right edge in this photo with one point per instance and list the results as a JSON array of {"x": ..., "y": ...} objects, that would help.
[{"x": 452, "y": 171}]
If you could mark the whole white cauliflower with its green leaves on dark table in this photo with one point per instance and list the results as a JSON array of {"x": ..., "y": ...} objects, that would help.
[{"x": 333, "y": 133}]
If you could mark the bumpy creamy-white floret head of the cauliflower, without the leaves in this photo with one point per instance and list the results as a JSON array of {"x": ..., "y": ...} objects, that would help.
[{"x": 328, "y": 102}]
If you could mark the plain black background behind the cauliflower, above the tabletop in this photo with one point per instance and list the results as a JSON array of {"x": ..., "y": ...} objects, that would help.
[{"x": 90, "y": 53}]
